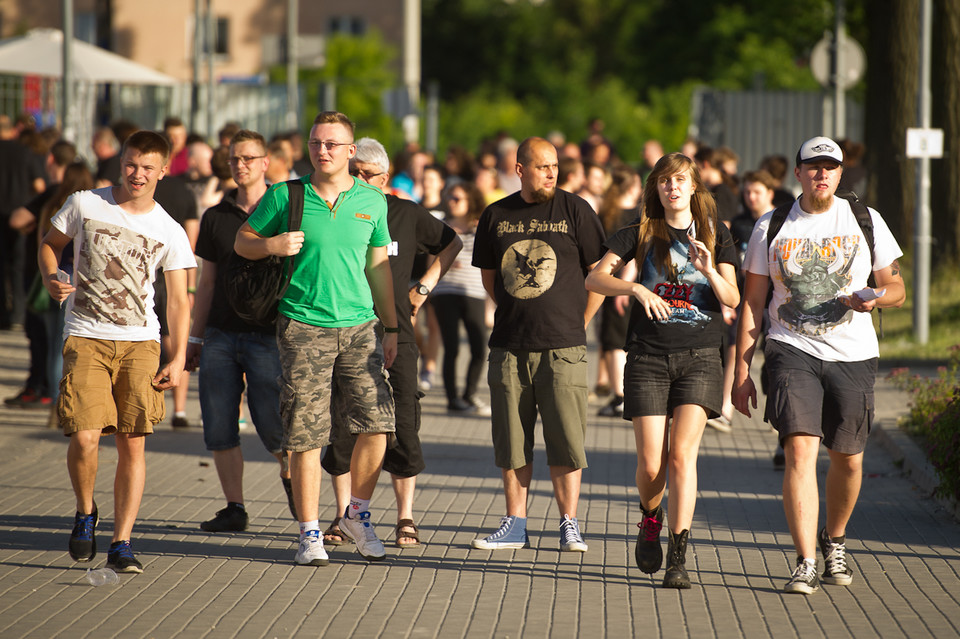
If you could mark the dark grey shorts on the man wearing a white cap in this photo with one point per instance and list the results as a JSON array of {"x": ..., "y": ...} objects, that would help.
[{"x": 830, "y": 400}]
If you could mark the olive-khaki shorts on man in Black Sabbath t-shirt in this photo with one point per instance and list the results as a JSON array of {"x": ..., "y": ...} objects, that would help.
[{"x": 553, "y": 381}]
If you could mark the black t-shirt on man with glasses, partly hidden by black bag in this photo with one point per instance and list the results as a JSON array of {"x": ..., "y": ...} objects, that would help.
[{"x": 218, "y": 230}]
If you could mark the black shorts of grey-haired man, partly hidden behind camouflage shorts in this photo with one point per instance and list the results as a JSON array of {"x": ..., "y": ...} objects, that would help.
[{"x": 404, "y": 456}]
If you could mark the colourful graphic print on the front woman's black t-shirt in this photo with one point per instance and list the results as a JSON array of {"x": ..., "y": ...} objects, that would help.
[{"x": 682, "y": 287}]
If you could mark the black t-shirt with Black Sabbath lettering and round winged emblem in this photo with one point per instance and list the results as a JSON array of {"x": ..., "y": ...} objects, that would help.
[{"x": 541, "y": 253}]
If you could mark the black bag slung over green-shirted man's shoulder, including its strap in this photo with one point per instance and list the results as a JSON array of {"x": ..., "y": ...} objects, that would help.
[{"x": 255, "y": 287}]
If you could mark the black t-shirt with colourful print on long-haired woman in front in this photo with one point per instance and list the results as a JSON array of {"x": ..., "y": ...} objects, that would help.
[{"x": 696, "y": 321}]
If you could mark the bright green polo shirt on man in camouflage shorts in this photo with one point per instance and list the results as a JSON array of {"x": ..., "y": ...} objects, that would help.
[{"x": 329, "y": 287}]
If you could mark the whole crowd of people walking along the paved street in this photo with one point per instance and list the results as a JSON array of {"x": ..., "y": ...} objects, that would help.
[{"x": 523, "y": 243}]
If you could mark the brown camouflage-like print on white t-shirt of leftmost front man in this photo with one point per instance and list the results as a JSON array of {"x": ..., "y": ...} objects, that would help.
[{"x": 113, "y": 274}]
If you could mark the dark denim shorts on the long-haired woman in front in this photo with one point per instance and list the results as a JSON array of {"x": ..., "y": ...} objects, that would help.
[{"x": 657, "y": 384}]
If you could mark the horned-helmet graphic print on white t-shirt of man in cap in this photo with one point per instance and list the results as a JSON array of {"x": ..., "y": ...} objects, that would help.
[{"x": 814, "y": 273}]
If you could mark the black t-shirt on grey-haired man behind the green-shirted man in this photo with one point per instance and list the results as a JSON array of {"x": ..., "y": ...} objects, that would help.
[{"x": 412, "y": 230}]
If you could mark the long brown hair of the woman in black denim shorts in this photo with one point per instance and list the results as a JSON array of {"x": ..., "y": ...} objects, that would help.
[{"x": 652, "y": 232}]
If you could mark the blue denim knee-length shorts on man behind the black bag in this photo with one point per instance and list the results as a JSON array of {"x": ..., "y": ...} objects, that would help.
[{"x": 224, "y": 360}]
